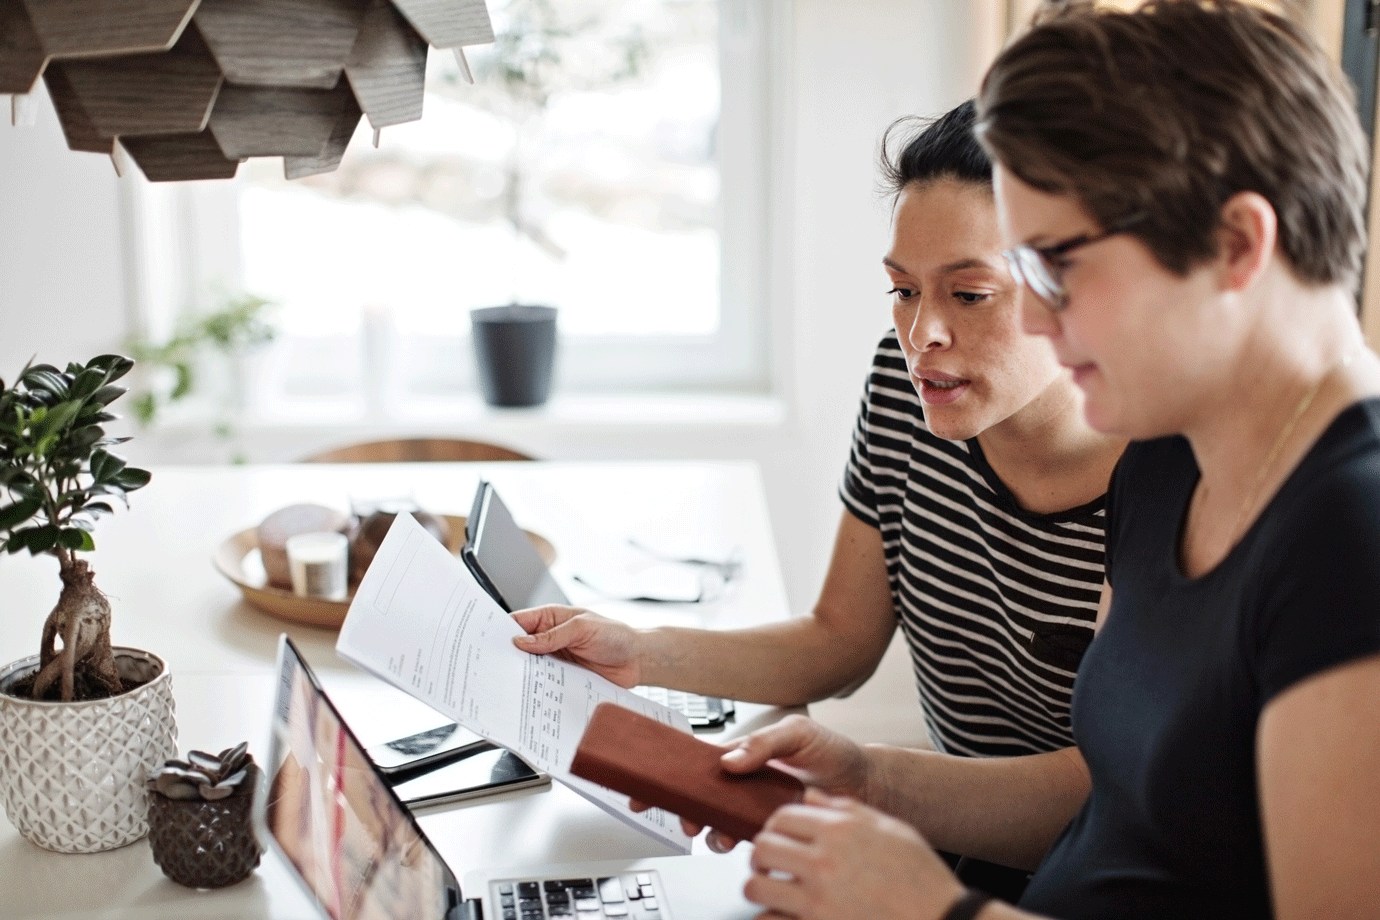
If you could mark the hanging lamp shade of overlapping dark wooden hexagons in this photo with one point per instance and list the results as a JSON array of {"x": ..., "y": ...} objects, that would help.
[{"x": 193, "y": 88}]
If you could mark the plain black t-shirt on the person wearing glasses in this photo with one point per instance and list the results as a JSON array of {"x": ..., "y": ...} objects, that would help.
[{"x": 1170, "y": 694}]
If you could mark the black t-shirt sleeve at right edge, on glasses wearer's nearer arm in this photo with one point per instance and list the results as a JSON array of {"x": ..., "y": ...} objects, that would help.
[{"x": 1323, "y": 581}]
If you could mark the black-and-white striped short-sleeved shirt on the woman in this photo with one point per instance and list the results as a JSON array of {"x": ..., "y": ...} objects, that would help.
[{"x": 997, "y": 603}]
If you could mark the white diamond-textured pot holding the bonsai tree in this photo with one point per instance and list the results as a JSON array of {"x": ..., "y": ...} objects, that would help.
[{"x": 72, "y": 774}]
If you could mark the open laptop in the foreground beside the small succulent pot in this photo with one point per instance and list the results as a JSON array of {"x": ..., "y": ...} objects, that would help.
[{"x": 326, "y": 810}]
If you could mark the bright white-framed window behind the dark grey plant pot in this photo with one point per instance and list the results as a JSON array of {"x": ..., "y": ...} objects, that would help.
[{"x": 626, "y": 186}]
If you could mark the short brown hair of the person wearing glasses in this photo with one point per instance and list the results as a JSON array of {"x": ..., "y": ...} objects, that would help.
[{"x": 1172, "y": 110}]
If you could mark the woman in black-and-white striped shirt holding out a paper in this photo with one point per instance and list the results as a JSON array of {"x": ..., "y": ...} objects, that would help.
[{"x": 974, "y": 503}]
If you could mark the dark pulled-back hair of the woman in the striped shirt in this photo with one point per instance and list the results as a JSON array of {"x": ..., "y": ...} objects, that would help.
[{"x": 942, "y": 148}]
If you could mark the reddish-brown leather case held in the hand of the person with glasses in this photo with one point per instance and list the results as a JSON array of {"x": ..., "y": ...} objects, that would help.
[{"x": 674, "y": 770}]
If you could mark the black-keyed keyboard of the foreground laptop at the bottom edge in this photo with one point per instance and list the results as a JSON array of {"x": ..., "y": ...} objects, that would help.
[{"x": 629, "y": 897}]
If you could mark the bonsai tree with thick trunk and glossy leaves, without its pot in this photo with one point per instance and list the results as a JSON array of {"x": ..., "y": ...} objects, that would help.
[{"x": 57, "y": 478}]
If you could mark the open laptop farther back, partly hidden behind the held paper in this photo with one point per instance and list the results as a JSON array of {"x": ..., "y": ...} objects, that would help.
[{"x": 502, "y": 559}]
